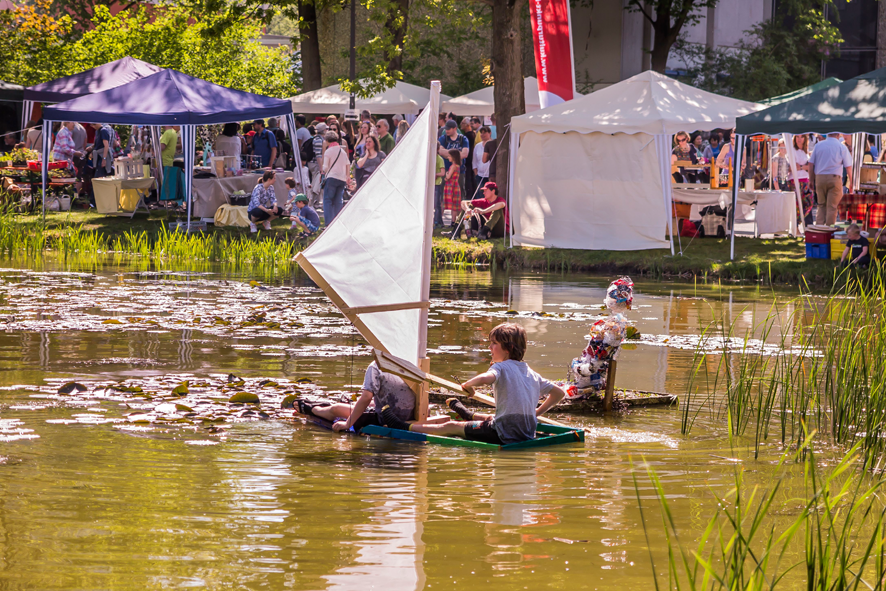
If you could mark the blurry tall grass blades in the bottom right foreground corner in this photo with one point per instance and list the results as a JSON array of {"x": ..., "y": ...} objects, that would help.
[{"x": 836, "y": 542}]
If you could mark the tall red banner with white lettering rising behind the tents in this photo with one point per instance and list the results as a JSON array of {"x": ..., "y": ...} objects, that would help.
[{"x": 552, "y": 34}]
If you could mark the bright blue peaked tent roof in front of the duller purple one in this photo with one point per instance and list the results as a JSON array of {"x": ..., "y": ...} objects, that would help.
[{"x": 168, "y": 98}]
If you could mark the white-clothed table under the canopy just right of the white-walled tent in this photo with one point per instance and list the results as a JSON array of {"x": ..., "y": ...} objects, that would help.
[{"x": 774, "y": 212}]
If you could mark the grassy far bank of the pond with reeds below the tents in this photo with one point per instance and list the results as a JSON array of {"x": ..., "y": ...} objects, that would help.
[{"x": 778, "y": 261}]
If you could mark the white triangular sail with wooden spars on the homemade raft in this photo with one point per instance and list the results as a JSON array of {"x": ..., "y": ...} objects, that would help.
[{"x": 373, "y": 261}]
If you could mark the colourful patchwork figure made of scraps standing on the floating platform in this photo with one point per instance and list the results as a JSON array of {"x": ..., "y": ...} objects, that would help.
[{"x": 587, "y": 373}]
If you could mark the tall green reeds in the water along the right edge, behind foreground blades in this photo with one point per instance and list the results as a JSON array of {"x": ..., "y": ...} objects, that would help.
[{"x": 826, "y": 370}]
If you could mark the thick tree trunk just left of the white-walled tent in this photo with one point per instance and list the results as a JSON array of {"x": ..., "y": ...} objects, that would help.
[{"x": 507, "y": 70}]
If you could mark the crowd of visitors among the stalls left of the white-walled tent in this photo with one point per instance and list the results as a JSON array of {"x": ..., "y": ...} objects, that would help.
[{"x": 331, "y": 159}]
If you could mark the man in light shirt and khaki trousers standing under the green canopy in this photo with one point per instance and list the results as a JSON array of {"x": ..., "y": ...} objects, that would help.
[{"x": 826, "y": 164}]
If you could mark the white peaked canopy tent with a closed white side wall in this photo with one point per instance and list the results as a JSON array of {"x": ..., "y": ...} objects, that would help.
[{"x": 595, "y": 172}]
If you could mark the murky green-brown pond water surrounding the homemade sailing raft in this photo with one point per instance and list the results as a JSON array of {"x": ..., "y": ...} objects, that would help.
[{"x": 275, "y": 504}]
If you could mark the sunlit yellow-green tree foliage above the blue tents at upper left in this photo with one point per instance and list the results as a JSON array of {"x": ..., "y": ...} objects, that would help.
[{"x": 167, "y": 36}]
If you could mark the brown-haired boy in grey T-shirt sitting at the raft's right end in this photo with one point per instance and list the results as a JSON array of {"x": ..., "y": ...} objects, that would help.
[{"x": 517, "y": 389}]
